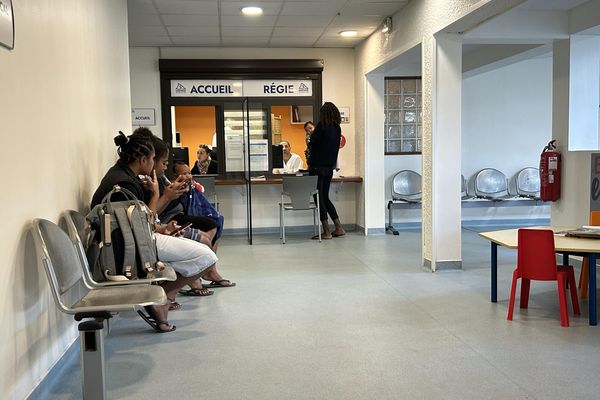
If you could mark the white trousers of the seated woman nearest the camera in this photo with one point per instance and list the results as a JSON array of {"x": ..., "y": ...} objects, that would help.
[{"x": 187, "y": 257}]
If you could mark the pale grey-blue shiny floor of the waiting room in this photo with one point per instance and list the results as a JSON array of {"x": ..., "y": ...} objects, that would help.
[{"x": 353, "y": 318}]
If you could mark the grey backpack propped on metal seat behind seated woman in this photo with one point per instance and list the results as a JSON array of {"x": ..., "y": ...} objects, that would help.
[{"x": 124, "y": 246}]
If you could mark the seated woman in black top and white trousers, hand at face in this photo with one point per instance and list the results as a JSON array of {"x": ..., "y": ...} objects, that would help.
[{"x": 188, "y": 258}]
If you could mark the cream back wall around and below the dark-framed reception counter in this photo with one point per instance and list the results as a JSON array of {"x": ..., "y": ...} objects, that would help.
[{"x": 338, "y": 87}]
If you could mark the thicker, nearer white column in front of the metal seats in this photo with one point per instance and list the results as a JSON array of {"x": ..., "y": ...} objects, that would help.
[{"x": 442, "y": 87}]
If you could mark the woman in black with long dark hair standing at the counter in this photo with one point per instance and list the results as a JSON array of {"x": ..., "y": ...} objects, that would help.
[{"x": 324, "y": 148}]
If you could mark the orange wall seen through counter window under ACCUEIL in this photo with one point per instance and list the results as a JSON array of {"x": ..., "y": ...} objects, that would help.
[{"x": 196, "y": 125}]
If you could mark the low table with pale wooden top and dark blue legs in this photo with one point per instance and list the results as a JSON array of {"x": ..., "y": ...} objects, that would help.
[{"x": 564, "y": 245}]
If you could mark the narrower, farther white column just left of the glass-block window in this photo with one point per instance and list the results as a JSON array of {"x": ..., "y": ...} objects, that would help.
[{"x": 374, "y": 182}]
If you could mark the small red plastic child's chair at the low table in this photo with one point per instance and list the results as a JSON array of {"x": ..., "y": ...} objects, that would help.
[{"x": 536, "y": 260}]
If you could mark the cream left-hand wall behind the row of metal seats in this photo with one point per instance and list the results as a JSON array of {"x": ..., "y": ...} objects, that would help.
[{"x": 65, "y": 93}]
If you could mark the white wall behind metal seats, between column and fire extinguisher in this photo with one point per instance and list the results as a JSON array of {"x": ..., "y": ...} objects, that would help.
[{"x": 506, "y": 122}]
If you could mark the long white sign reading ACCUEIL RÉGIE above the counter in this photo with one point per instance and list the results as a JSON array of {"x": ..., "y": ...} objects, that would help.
[{"x": 239, "y": 88}]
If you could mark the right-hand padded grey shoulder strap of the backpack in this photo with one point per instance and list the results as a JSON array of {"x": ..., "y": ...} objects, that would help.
[{"x": 138, "y": 216}]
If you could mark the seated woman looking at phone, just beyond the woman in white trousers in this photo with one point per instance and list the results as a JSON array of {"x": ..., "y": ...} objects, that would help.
[{"x": 170, "y": 208}]
